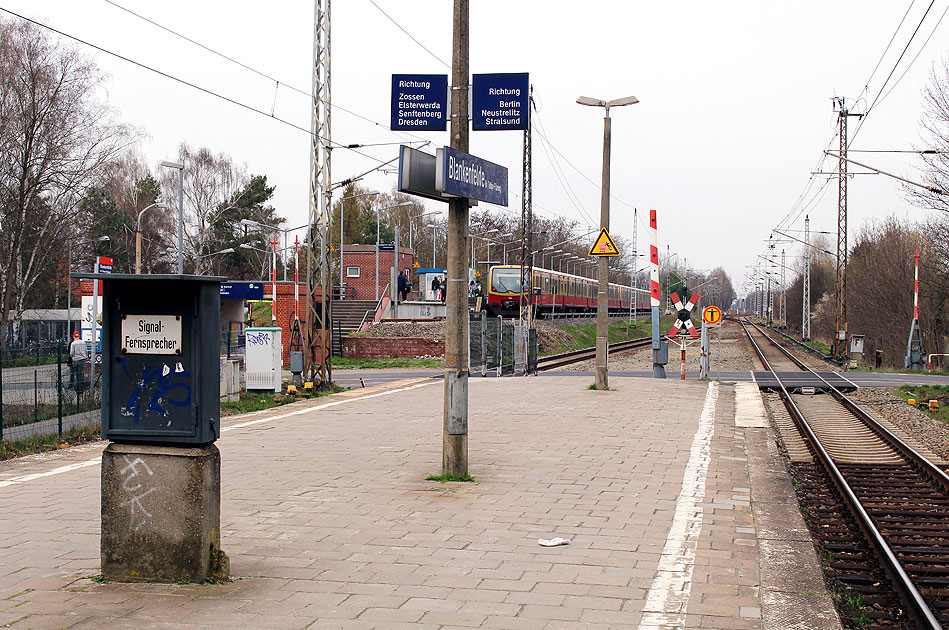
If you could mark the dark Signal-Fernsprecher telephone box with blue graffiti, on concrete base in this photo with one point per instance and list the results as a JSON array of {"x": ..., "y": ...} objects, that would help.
[{"x": 161, "y": 359}]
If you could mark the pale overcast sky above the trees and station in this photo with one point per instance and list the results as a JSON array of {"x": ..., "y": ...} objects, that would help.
[{"x": 735, "y": 99}]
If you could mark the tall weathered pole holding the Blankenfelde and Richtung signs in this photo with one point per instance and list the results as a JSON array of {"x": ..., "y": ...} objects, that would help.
[{"x": 455, "y": 417}]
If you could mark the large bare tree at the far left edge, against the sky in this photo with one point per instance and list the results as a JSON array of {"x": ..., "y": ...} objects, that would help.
[{"x": 55, "y": 134}]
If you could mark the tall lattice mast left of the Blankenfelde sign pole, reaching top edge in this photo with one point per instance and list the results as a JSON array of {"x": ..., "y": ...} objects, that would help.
[{"x": 318, "y": 286}]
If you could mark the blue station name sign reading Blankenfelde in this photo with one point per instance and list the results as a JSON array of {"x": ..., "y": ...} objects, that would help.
[{"x": 459, "y": 174}]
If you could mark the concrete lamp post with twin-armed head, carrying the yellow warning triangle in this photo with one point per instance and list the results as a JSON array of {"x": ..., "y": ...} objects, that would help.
[{"x": 602, "y": 296}]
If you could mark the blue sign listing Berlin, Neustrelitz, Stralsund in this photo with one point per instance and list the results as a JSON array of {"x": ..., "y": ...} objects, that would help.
[{"x": 500, "y": 101}]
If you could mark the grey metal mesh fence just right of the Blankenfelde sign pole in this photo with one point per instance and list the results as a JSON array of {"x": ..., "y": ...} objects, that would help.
[{"x": 499, "y": 347}]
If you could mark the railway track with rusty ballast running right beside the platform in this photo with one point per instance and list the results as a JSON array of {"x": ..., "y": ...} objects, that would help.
[{"x": 878, "y": 507}]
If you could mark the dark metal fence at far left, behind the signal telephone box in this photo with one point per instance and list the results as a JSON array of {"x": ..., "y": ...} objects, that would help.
[{"x": 45, "y": 396}]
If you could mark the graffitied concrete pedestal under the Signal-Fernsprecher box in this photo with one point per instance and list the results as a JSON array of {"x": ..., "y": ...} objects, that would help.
[{"x": 161, "y": 514}]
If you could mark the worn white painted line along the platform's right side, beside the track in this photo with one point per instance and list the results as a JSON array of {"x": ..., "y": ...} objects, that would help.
[{"x": 668, "y": 596}]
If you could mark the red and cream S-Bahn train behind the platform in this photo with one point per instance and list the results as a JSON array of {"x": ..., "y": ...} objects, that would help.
[{"x": 556, "y": 292}]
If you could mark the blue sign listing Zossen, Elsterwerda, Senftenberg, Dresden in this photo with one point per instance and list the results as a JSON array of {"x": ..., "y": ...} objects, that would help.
[{"x": 419, "y": 102}]
